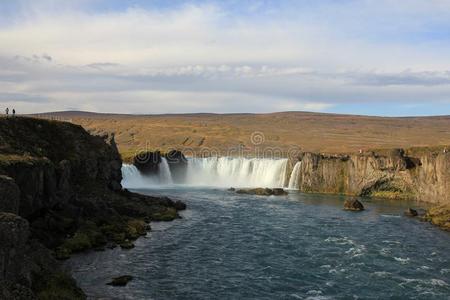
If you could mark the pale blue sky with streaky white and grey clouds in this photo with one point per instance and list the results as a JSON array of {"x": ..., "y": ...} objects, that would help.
[{"x": 371, "y": 57}]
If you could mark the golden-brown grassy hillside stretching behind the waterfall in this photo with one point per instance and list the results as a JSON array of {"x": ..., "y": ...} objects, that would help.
[{"x": 314, "y": 132}]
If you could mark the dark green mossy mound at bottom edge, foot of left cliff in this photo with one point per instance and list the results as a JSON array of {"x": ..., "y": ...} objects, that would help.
[{"x": 59, "y": 286}]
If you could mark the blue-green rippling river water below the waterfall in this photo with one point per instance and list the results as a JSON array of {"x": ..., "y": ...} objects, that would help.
[{"x": 230, "y": 246}]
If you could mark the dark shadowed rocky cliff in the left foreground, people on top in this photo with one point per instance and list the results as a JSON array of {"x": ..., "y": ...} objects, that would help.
[{"x": 60, "y": 193}]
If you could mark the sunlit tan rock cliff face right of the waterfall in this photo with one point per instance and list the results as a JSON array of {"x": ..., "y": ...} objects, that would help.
[{"x": 420, "y": 174}]
